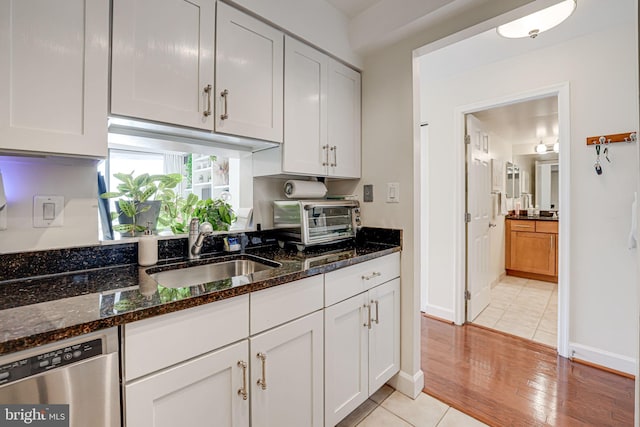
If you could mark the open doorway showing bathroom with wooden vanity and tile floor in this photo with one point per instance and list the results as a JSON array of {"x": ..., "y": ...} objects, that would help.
[{"x": 508, "y": 193}]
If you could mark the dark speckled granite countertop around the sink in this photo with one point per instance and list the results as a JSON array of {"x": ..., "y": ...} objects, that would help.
[{"x": 48, "y": 308}]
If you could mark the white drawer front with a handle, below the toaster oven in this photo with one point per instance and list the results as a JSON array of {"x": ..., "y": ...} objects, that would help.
[{"x": 347, "y": 282}]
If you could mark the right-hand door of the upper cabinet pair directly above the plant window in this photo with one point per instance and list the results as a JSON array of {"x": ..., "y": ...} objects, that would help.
[{"x": 249, "y": 74}]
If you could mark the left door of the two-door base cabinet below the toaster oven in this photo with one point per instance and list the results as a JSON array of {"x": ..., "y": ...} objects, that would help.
[{"x": 346, "y": 357}]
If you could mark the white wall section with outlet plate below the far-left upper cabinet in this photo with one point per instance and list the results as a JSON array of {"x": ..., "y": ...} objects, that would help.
[{"x": 75, "y": 179}]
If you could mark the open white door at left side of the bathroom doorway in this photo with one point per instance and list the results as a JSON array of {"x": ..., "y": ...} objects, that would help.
[{"x": 479, "y": 208}]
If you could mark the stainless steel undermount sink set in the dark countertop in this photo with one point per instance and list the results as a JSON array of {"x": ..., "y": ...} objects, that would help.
[{"x": 206, "y": 273}]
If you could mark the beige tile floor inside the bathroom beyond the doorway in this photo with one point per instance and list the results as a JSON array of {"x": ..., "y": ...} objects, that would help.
[{"x": 523, "y": 307}]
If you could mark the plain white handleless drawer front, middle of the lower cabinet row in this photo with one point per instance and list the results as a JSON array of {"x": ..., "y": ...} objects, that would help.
[{"x": 278, "y": 305}]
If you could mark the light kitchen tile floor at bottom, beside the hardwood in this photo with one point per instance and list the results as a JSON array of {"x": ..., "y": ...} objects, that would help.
[{"x": 389, "y": 408}]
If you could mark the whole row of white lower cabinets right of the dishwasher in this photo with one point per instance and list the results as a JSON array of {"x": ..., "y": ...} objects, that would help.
[{"x": 271, "y": 358}]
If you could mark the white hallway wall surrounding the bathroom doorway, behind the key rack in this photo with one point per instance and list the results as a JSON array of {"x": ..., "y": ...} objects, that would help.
[{"x": 603, "y": 322}]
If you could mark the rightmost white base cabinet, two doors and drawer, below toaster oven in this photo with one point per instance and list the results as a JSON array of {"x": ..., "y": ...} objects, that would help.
[{"x": 362, "y": 334}]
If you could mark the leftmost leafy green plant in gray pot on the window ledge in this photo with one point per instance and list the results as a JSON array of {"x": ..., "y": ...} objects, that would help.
[{"x": 137, "y": 205}]
